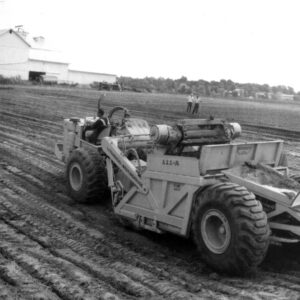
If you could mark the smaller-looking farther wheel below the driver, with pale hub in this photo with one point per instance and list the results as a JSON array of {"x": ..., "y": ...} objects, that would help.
[{"x": 86, "y": 175}]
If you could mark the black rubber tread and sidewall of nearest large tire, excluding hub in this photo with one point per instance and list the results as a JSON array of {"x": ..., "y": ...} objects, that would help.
[{"x": 252, "y": 230}]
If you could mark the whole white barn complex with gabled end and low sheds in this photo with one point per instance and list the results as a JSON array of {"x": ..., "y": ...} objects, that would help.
[{"x": 29, "y": 58}]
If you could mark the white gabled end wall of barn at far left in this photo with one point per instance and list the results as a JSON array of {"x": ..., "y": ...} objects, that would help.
[{"x": 13, "y": 56}]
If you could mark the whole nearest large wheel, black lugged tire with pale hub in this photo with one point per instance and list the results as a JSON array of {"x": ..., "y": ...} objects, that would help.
[{"x": 230, "y": 228}]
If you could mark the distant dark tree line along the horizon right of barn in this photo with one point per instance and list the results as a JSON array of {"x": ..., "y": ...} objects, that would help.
[{"x": 201, "y": 87}]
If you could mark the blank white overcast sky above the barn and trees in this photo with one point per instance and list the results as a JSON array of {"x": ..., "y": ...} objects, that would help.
[{"x": 243, "y": 40}]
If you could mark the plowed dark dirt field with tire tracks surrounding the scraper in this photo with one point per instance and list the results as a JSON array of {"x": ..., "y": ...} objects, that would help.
[{"x": 53, "y": 248}]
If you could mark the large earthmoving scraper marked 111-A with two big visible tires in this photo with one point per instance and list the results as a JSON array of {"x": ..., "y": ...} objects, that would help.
[{"x": 191, "y": 180}]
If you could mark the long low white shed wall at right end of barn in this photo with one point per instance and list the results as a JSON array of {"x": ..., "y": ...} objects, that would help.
[{"x": 89, "y": 77}]
